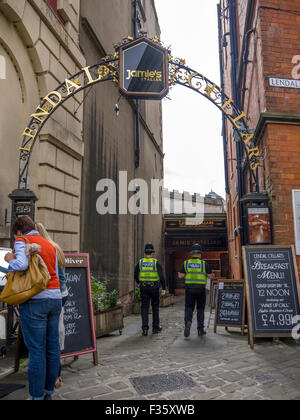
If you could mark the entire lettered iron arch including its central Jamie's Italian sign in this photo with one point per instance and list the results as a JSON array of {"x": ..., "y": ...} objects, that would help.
[{"x": 128, "y": 68}]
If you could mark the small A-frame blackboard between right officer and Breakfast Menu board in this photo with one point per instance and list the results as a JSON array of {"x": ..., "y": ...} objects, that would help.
[{"x": 230, "y": 306}]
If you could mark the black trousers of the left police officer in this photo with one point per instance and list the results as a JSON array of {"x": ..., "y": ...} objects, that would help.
[{"x": 150, "y": 294}]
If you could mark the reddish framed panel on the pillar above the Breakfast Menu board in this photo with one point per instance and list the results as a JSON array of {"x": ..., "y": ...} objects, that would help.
[{"x": 259, "y": 225}]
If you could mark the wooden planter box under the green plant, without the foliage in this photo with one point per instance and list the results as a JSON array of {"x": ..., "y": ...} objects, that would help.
[{"x": 109, "y": 321}]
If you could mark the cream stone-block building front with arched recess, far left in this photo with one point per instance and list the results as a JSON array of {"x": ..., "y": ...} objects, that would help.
[{"x": 39, "y": 46}]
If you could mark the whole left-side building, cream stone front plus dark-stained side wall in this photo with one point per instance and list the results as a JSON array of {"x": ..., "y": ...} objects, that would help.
[{"x": 43, "y": 42}]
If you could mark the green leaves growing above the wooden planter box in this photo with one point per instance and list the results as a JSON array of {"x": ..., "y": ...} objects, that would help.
[{"x": 102, "y": 299}]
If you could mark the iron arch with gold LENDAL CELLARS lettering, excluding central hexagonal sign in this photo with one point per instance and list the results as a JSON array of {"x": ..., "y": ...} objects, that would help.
[{"x": 108, "y": 69}]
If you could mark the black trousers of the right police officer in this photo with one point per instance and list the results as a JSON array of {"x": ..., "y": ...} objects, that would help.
[{"x": 193, "y": 296}]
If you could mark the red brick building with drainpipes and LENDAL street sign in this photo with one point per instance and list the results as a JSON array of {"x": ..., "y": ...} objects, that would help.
[{"x": 259, "y": 54}]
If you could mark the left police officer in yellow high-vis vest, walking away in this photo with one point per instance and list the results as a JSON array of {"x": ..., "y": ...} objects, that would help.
[{"x": 150, "y": 277}]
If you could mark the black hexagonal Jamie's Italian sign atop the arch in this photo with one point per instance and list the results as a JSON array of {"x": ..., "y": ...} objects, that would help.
[{"x": 144, "y": 70}]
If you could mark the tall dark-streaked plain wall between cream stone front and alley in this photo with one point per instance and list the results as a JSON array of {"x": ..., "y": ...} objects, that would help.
[{"x": 116, "y": 242}]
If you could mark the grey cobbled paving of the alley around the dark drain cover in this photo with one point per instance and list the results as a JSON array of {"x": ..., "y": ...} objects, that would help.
[{"x": 223, "y": 366}]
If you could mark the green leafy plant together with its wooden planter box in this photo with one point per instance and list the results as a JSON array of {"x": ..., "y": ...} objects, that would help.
[{"x": 108, "y": 311}]
